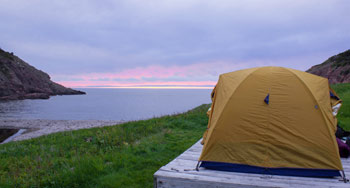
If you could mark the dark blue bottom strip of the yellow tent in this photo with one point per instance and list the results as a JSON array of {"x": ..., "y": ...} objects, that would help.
[{"x": 270, "y": 171}]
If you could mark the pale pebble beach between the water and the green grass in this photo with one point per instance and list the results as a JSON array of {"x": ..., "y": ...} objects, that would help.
[{"x": 39, "y": 127}]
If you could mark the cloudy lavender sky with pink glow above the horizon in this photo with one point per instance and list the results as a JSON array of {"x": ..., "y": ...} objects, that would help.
[{"x": 170, "y": 43}]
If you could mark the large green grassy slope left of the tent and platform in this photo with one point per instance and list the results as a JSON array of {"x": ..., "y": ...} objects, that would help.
[{"x": 124, "y": 155}]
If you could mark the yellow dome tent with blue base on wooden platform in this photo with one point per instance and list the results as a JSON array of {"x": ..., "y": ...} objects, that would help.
[{"x": 272, "y": 120}]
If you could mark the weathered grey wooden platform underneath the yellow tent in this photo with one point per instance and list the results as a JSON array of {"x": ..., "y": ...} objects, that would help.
[{"x": 181, "y": 173}]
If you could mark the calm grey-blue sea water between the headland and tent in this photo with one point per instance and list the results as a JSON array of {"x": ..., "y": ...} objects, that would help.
[{"x": 107, "y": 104}]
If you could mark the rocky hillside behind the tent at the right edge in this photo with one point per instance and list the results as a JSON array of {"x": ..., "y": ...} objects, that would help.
[{"x": 335, "y": 68}]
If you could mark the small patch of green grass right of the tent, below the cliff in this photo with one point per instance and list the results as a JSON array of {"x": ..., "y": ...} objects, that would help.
[{"x": 343, "y": 90}]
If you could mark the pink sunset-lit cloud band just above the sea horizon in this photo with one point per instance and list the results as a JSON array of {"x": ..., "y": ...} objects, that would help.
[{"x": 194, "y": 75}]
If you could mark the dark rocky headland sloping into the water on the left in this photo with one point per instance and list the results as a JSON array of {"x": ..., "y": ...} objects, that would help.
[{"x": 19, "y": 80}]
